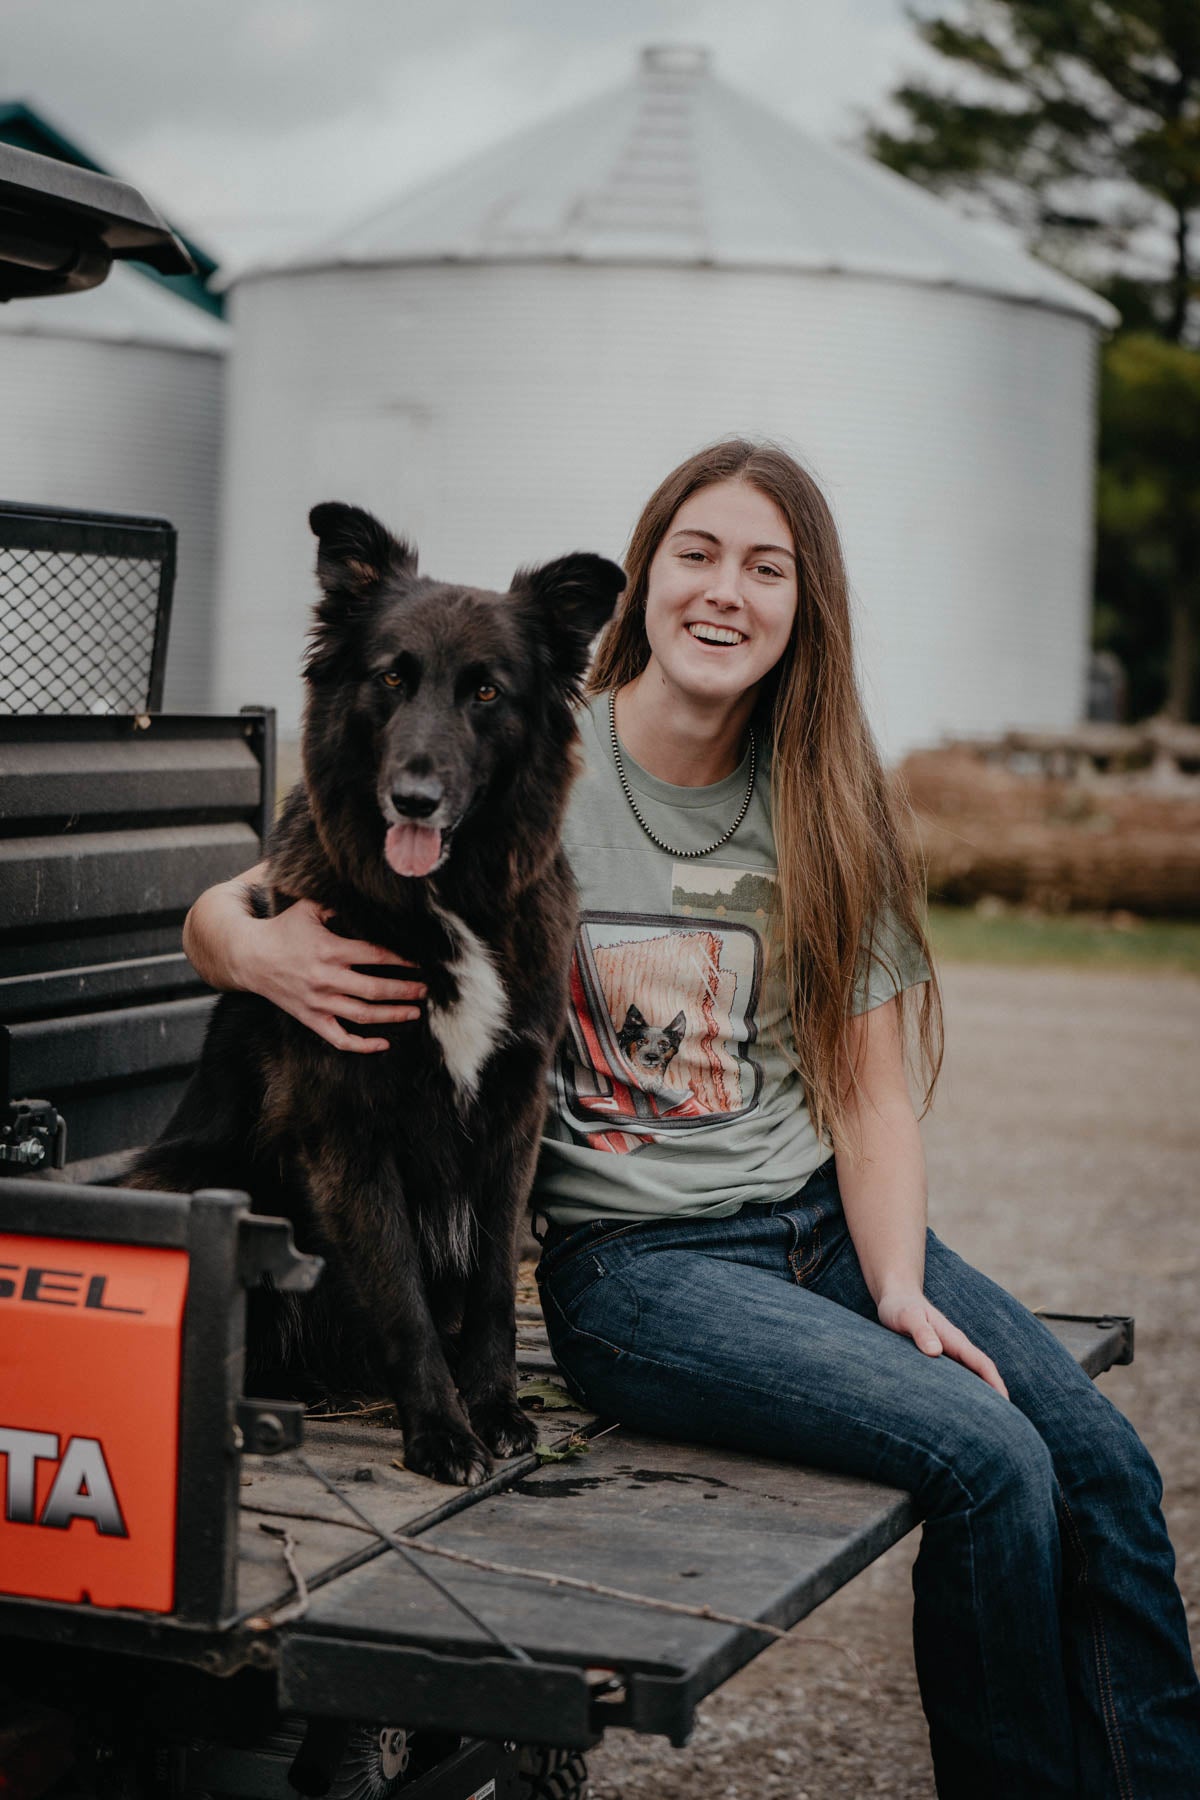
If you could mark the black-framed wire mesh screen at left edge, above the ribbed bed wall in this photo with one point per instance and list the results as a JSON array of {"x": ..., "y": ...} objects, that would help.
[{"x": 84, "y": 611}]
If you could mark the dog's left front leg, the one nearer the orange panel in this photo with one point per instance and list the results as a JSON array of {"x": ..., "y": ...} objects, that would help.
[{"x": 363, "y": 1212}]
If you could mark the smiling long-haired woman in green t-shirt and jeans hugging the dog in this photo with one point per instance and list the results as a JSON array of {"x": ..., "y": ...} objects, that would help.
[{"x": 733, "y": 1171}]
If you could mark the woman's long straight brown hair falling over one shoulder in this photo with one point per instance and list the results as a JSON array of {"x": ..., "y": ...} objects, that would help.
[{"x": 848, "y": 879}]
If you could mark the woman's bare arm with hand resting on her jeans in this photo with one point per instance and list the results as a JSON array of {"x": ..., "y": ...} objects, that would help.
[{"x": 882, "y": 1178}]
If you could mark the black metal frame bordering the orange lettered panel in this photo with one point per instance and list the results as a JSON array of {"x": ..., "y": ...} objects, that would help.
[{"x": 228, "y": 1250}]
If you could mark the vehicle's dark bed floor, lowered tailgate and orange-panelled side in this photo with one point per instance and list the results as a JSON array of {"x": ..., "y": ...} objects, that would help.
[{"x": 283, "y": 1561}]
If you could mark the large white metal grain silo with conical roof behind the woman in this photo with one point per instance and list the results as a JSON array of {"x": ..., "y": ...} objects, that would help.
[{"x": 506, "y": 361}]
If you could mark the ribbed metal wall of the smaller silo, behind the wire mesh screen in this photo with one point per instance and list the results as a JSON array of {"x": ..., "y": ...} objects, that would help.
[{"x": 125, "y": 429}]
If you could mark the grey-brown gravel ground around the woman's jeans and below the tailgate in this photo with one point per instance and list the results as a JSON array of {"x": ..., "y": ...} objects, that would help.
[{"x": 1064, "y": 1160}]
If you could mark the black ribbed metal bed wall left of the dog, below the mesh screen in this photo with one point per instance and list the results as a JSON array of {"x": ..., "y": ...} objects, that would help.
[{"x": 69, "y": 975}]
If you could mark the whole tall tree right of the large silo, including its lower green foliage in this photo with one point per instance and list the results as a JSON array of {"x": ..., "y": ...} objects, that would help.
[{"x": 1079, "y": 121}]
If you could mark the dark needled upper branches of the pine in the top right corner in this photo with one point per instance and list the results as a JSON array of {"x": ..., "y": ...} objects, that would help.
[{"x": 1080, "y": 125}]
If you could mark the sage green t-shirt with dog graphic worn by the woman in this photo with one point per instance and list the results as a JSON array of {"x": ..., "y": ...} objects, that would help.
[{"x": 672, "y": 1093}]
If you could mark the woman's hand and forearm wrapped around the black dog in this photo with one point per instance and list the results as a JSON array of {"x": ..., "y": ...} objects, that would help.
[{"x": 298, "y": 964}]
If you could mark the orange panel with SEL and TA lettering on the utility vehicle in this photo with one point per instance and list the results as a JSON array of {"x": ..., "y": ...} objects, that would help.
[{"x": 89, "y": 1419}]
